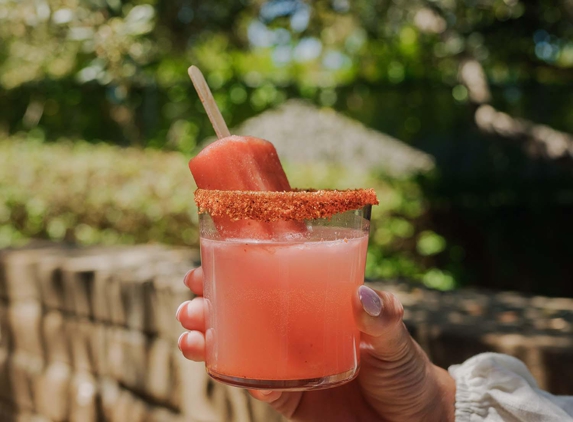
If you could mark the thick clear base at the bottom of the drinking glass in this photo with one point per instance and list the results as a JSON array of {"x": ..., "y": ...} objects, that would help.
[{"x": 287, "y": 385}]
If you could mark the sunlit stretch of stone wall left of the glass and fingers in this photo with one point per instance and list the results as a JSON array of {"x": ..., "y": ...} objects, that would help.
[{"x": 90, "y": 335}]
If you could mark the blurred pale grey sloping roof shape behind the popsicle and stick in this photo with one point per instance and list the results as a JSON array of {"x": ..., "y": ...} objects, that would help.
[{"x": 303, "y": 133}]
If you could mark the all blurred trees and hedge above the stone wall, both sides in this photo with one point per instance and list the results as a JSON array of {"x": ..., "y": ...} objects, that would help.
[{"x": 114, "y": 71}]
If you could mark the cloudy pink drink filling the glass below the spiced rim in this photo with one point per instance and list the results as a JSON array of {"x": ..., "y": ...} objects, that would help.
[{"x": 280, "y": 312}]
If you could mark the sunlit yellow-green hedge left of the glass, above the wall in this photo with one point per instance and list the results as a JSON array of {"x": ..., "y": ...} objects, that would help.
[{"x": 94, "y": 194}]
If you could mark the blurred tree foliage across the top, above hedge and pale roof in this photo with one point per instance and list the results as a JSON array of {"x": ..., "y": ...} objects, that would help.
[{"x": 115, "y": 70}]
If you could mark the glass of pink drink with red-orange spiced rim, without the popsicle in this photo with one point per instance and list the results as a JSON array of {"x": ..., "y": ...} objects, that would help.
[{"x": 280, "y": 309}]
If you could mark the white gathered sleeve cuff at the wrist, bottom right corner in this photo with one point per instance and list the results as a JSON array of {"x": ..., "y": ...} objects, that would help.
[{"x": 493, "y": 387}]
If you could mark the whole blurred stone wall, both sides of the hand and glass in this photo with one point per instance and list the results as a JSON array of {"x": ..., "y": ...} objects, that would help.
[{"x": 90, "y": 335}]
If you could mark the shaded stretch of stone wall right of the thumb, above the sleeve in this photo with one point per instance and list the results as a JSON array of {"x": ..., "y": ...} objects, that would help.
[{"x": 453, "y": 326}]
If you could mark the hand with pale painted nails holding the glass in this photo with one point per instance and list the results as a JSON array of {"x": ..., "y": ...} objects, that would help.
[{"x": 397, "y": 382}]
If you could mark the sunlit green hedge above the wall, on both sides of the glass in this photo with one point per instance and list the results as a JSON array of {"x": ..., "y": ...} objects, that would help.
[{"x": 102, "y": 194}]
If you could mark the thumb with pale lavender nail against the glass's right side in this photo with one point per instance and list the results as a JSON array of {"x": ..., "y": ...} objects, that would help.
[{"x": 378, "y": 316}]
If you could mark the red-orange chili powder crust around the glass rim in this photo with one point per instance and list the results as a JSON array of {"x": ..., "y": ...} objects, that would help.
[{"x": 295, "y": 205}]
